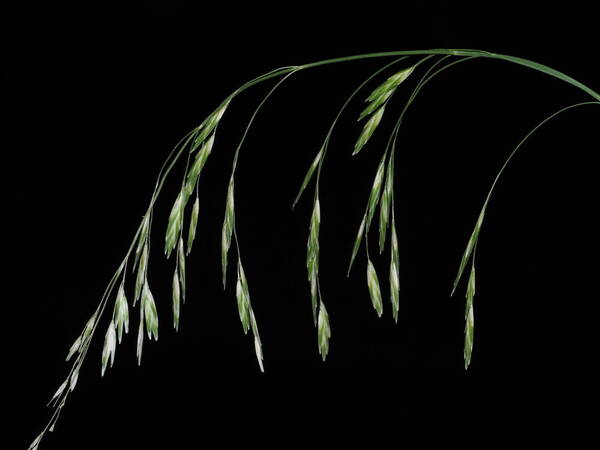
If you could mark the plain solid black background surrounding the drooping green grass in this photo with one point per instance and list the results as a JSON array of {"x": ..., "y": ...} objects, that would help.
[{"x": 97, "y": 97}]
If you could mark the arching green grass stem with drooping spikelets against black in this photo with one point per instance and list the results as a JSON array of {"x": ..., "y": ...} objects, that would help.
[{"x": 197, "y": 146}]
